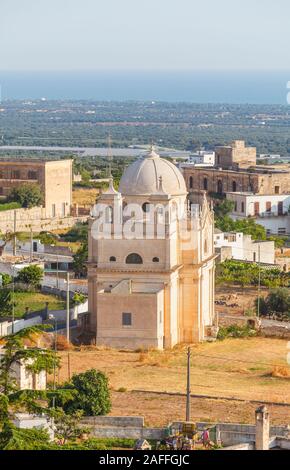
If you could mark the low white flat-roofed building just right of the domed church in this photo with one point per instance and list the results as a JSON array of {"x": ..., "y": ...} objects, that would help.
[{"x": 241, "y": 247}]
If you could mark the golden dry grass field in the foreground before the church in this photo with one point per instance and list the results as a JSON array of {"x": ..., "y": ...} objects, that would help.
[{"x": 249, "y": 369}]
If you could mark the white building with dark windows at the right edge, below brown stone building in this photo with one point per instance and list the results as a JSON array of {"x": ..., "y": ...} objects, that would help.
[{"x": 271, "y": 211}]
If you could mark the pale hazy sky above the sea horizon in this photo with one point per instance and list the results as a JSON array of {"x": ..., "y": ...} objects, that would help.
[{"x": 144, "y": 34}]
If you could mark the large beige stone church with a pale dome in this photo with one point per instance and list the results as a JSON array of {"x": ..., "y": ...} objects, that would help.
[{"x": 151, "y": 262}]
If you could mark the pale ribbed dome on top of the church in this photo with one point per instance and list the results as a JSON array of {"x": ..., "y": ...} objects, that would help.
[{"x": 143, "y": 177}]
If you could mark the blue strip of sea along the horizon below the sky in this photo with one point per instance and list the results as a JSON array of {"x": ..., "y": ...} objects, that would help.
[{"x": 250, "y": 87}]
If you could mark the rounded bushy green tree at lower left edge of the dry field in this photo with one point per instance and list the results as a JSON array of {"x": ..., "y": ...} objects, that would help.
[{"x": 87, "y": 392}]
